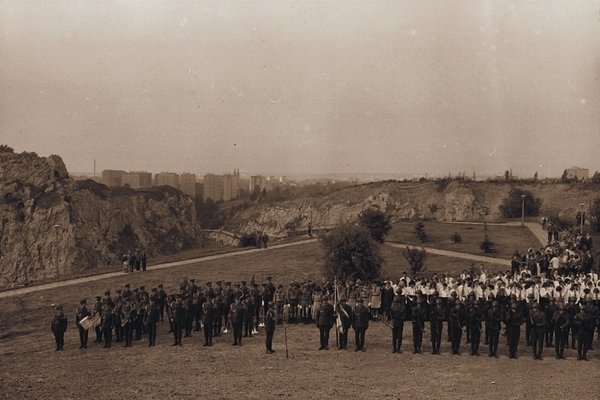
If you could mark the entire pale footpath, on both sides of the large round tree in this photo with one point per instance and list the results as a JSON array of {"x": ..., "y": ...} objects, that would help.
[{"x": 535, "y": 228}]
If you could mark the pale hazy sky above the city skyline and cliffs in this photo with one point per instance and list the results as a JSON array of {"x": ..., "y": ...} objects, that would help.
[{"x": 295, "y": 87}]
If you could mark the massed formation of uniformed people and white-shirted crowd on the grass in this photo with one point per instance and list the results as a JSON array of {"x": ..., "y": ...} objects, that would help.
[{"x": 553, "y": 310}]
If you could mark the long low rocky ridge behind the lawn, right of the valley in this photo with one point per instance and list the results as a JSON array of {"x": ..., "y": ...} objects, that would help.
[{"x": 446, "y": 202}]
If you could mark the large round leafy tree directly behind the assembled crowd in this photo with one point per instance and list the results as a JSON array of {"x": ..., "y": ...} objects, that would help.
[{"x": 351, "y": 253}]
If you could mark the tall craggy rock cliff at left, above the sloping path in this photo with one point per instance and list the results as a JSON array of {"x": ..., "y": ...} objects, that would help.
[{"x": 51, "y": 225}]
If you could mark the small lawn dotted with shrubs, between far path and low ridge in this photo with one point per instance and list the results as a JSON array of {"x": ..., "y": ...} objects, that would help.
[{"x": 506, "y": 239}]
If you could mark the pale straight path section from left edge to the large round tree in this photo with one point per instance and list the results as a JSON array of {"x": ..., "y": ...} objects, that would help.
[{"x": 76, "y": 281}]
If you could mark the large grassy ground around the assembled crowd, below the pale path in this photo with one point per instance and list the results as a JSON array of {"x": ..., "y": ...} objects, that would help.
[{"x": 31, "y": 369}]
